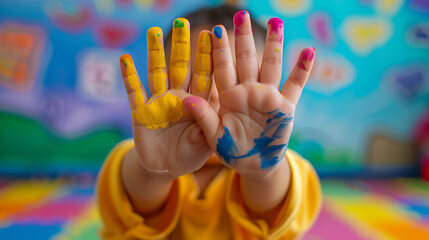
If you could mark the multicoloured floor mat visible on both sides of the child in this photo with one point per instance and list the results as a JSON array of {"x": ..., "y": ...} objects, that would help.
[{"x": 352, "y": 210}]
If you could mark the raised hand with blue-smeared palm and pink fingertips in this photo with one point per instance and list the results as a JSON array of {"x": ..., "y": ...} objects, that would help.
[{"x": 252, "y": 129}]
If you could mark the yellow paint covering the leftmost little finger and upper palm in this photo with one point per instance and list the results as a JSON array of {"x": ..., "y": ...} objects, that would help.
[{"x": 160, "y": 111}]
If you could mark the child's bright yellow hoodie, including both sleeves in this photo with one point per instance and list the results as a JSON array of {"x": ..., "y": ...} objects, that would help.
[{"x": 220, "y": 215}]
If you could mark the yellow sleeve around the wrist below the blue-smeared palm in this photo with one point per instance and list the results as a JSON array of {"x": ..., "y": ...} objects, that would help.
[{"x": 298, "y": 212}]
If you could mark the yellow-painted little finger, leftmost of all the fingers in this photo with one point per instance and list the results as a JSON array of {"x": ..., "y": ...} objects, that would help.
[{"x": 135, "y": 90}]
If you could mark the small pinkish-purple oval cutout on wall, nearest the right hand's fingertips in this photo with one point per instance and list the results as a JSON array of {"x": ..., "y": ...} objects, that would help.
[{"x": 320, "y": 26}]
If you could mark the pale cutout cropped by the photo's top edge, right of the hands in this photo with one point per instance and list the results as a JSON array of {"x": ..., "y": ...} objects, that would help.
[{"x": 291, "y": 7}]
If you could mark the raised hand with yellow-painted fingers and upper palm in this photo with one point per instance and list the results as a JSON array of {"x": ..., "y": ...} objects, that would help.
[{"x": 167, "y": 141}]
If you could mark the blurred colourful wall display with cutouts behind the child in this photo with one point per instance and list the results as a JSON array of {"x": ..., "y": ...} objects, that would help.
[{"x": 63, "y": 106}]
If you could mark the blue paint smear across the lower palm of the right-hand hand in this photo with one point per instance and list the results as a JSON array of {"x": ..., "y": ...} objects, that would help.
[{"x": 270, "y": 154}]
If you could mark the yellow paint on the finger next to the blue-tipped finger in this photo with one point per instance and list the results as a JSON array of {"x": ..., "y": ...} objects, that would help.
[{"x": 203, "y": 62}]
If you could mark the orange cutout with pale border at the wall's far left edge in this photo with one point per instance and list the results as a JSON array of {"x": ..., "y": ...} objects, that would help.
[{"x": 21, "y": 49}]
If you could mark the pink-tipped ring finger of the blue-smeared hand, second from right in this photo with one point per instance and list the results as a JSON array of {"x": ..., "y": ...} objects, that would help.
[{"x": 271, "y": 68}]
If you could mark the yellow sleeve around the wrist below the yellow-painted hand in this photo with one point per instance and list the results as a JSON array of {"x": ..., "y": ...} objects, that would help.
[{"x": 118, "y": 217}]
